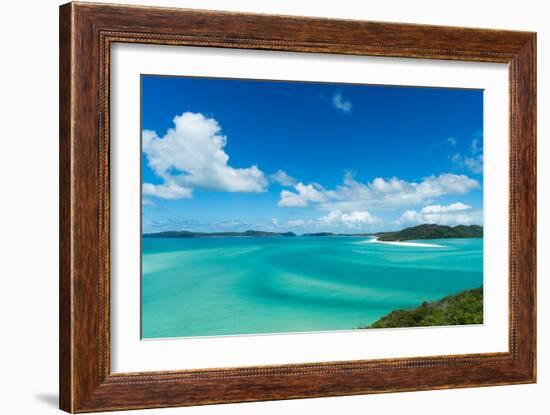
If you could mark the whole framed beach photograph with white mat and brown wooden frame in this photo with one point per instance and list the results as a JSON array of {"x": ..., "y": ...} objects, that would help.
[{"x": 258, "y": 207}]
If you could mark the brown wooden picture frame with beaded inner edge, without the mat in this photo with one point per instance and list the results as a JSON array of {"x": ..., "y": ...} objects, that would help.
[{"x": 86, "y": 33}]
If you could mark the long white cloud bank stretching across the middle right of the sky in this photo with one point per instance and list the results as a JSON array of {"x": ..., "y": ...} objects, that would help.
[{"x": 353, "y": 195}]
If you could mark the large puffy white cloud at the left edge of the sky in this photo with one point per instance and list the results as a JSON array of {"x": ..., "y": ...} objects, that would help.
[{"x": 191, "y": 156}]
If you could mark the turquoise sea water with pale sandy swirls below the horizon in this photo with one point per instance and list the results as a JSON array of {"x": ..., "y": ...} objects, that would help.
[{"x": 224, "y": 286}]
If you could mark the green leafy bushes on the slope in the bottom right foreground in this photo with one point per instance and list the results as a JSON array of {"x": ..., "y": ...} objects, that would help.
[{"x": 465, "y": 307}]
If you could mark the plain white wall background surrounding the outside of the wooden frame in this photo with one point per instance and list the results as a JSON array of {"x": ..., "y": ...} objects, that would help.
[{"x": 29, "y": 206}]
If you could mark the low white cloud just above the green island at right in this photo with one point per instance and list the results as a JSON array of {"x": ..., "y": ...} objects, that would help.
[{"x": 453, "y": 214}]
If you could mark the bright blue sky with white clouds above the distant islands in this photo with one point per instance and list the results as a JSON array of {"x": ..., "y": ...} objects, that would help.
[{"x": 232, "y": 155}]
